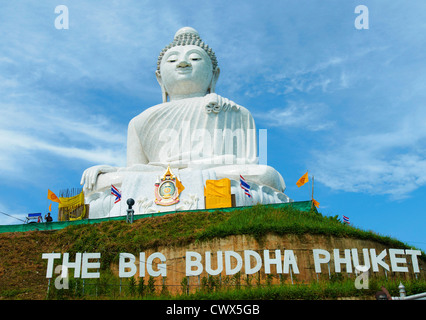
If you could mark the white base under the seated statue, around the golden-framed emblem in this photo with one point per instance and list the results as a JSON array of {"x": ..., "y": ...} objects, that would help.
[{"x": 140, "y": 187}]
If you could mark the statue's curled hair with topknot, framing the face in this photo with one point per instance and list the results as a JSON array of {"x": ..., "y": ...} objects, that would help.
[{"x": 188, "y": 36}]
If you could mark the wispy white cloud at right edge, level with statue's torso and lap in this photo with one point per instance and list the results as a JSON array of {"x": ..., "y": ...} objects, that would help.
[{"x": 391, "y": 163}]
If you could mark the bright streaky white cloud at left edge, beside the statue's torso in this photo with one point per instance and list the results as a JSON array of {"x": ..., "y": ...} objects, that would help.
[{"x": 26, "y": 136}]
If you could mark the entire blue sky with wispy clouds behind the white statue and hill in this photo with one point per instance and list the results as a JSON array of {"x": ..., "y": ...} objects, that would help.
[{"x": 348, "y": 105}]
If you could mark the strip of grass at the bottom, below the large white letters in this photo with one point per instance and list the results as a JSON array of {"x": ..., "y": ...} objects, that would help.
[{"x": 109, "y": 288}]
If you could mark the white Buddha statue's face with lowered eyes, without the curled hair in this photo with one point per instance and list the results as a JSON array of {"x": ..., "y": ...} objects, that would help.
[{"x": 186, "y": 71}]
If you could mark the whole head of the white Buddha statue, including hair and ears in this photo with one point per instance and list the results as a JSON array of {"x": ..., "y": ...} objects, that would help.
[{"x": 187, "y": 67}]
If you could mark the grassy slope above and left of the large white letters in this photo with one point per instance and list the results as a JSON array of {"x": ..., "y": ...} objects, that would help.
[{"x": 22, "y": 271}]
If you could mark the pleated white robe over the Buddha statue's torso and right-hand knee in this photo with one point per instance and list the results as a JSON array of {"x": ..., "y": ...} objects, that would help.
[{"x": 194, "y": 133}]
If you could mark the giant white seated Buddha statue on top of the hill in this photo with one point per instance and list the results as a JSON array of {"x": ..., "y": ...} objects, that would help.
[{"x": 194, "y": 131}]
